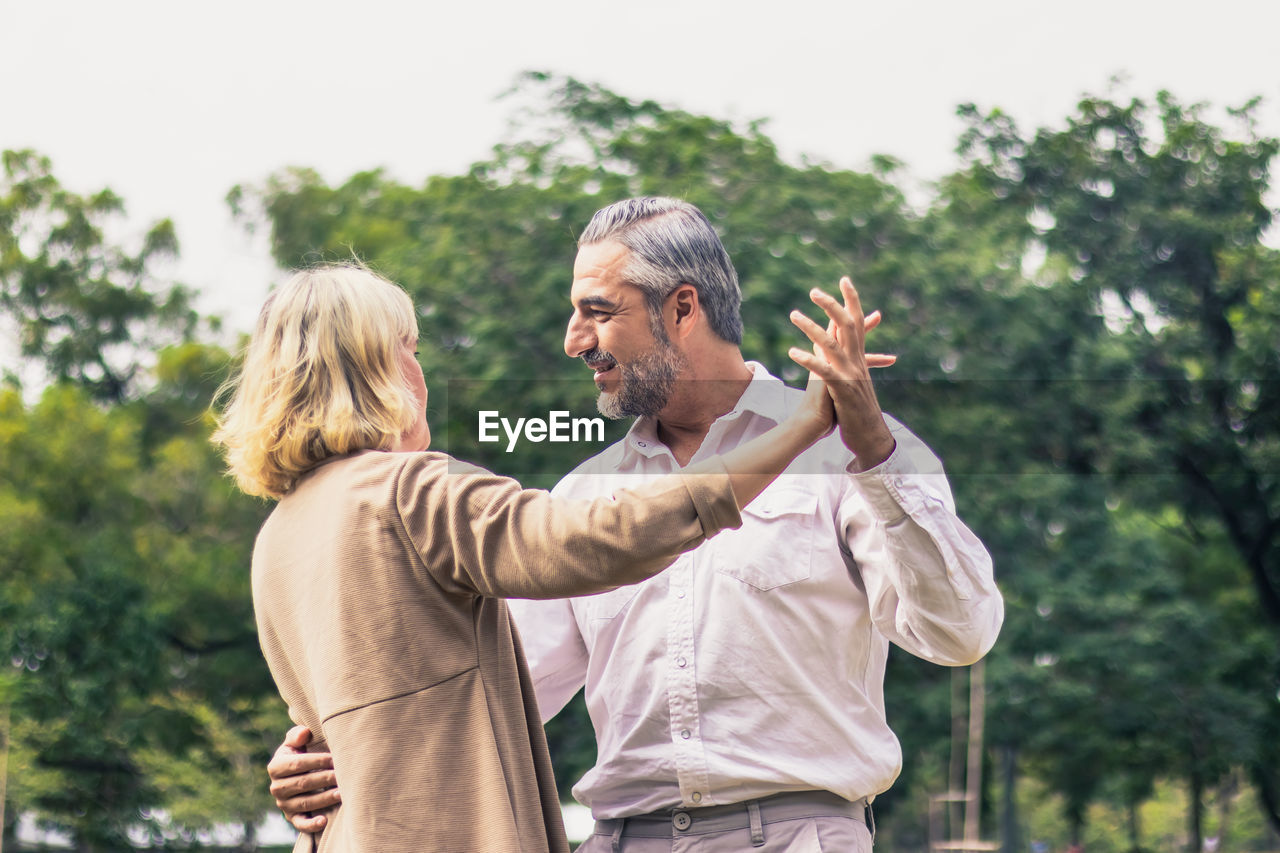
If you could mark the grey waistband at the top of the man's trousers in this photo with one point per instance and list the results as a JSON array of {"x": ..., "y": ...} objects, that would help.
[{"x": 752, "y": 814}]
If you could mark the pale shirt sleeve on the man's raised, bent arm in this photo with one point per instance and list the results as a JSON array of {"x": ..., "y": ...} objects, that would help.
[{"x": 930, "y": 581}]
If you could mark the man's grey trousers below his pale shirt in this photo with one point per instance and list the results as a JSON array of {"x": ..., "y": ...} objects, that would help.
[{"x": 806, "y": 822}]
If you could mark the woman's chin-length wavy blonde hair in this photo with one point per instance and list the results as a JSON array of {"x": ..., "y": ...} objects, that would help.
[{"x": 319, "y": 378}]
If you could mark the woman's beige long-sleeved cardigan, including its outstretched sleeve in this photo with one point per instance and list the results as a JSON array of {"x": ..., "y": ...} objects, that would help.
[{"x": 378, "y": 589}]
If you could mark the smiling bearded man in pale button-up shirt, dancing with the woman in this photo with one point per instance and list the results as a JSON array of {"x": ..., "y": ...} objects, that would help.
[{"x": 738, "y": 697}]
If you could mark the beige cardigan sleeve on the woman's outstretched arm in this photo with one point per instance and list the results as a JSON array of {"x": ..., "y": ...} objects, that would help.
[{"x": 479, "y": 532}]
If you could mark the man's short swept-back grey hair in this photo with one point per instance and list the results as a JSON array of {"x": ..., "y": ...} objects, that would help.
[{"x": 673, "y": 244}]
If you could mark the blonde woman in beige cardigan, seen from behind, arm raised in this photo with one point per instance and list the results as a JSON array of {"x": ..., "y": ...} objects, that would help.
[{"x": 378, "y": 578}]
